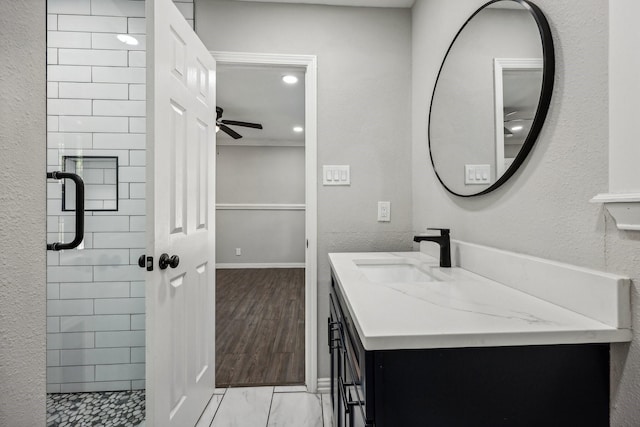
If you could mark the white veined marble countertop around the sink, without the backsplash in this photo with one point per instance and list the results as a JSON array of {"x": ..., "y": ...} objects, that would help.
[{"x": 463, "y": 309}]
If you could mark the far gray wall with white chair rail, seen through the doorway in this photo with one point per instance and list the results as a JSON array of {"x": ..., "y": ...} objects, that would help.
[{"x": 259, "y": 176}]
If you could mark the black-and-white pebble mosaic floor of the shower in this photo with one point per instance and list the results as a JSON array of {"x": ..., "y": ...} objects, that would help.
[{"x": 105, "y": 409}]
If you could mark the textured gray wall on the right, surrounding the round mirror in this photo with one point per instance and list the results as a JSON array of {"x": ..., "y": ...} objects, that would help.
[{"x": 544, "y": 209}]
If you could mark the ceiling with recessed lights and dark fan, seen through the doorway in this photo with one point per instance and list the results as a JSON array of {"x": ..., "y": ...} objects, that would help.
[{"x": 257, "y": 94}]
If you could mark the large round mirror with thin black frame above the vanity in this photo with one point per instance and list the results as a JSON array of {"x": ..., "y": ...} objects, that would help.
[{"x": 491, "y": 96}]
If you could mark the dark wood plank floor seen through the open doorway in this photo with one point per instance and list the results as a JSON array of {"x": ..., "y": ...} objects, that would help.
[{"x": 259, "y": 327}]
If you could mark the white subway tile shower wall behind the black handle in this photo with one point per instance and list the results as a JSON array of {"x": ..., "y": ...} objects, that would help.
[{"x": 96, "y": 107}]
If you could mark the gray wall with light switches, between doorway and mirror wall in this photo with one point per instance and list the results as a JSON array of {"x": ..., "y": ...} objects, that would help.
[{"x": 364, "y": 90}]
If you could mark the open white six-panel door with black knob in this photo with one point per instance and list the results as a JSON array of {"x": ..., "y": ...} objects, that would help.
[{"x": 180, "y": 219}]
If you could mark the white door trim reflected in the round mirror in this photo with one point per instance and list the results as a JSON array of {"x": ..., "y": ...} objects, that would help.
[{"x": 499, "y": 65}]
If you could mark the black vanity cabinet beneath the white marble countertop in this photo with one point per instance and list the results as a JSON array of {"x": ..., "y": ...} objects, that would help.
[{"x": 540, "y": 385}]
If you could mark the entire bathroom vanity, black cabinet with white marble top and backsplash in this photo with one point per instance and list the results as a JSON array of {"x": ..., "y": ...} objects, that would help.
[{"x": 413, "y": 344}]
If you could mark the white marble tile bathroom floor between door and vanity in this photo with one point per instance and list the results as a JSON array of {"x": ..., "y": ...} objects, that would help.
[{"x": 280, "y": 406}]
